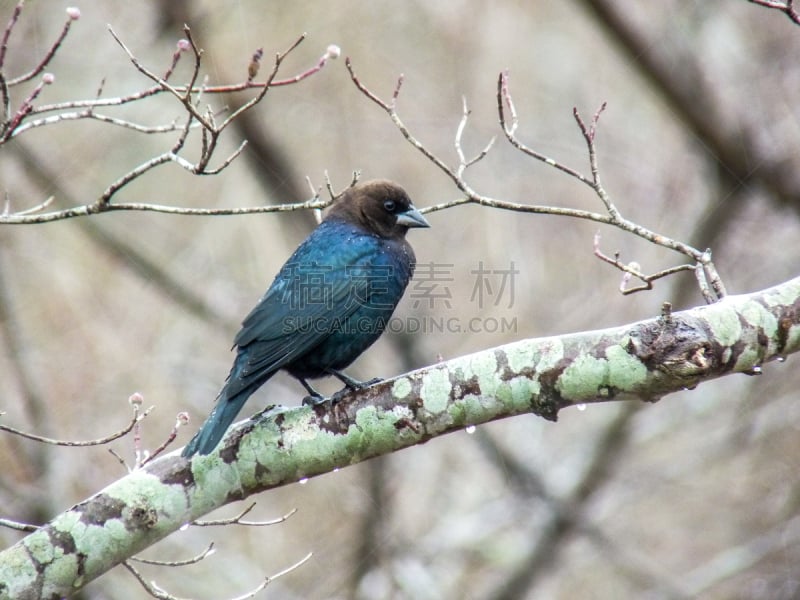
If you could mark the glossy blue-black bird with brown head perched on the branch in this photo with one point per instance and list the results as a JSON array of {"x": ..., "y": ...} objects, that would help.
[{"x": 330, "y": 301}]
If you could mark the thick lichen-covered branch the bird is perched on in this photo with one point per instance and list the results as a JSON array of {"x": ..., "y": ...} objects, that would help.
[{"x": 644, "y": 360}]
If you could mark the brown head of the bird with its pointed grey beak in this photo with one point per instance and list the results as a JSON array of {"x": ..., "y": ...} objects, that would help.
[{"x": 379, "y": 206}]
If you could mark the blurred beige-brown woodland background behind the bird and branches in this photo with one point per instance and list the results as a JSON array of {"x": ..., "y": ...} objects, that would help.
[{"x": 696, "y": 496}]
